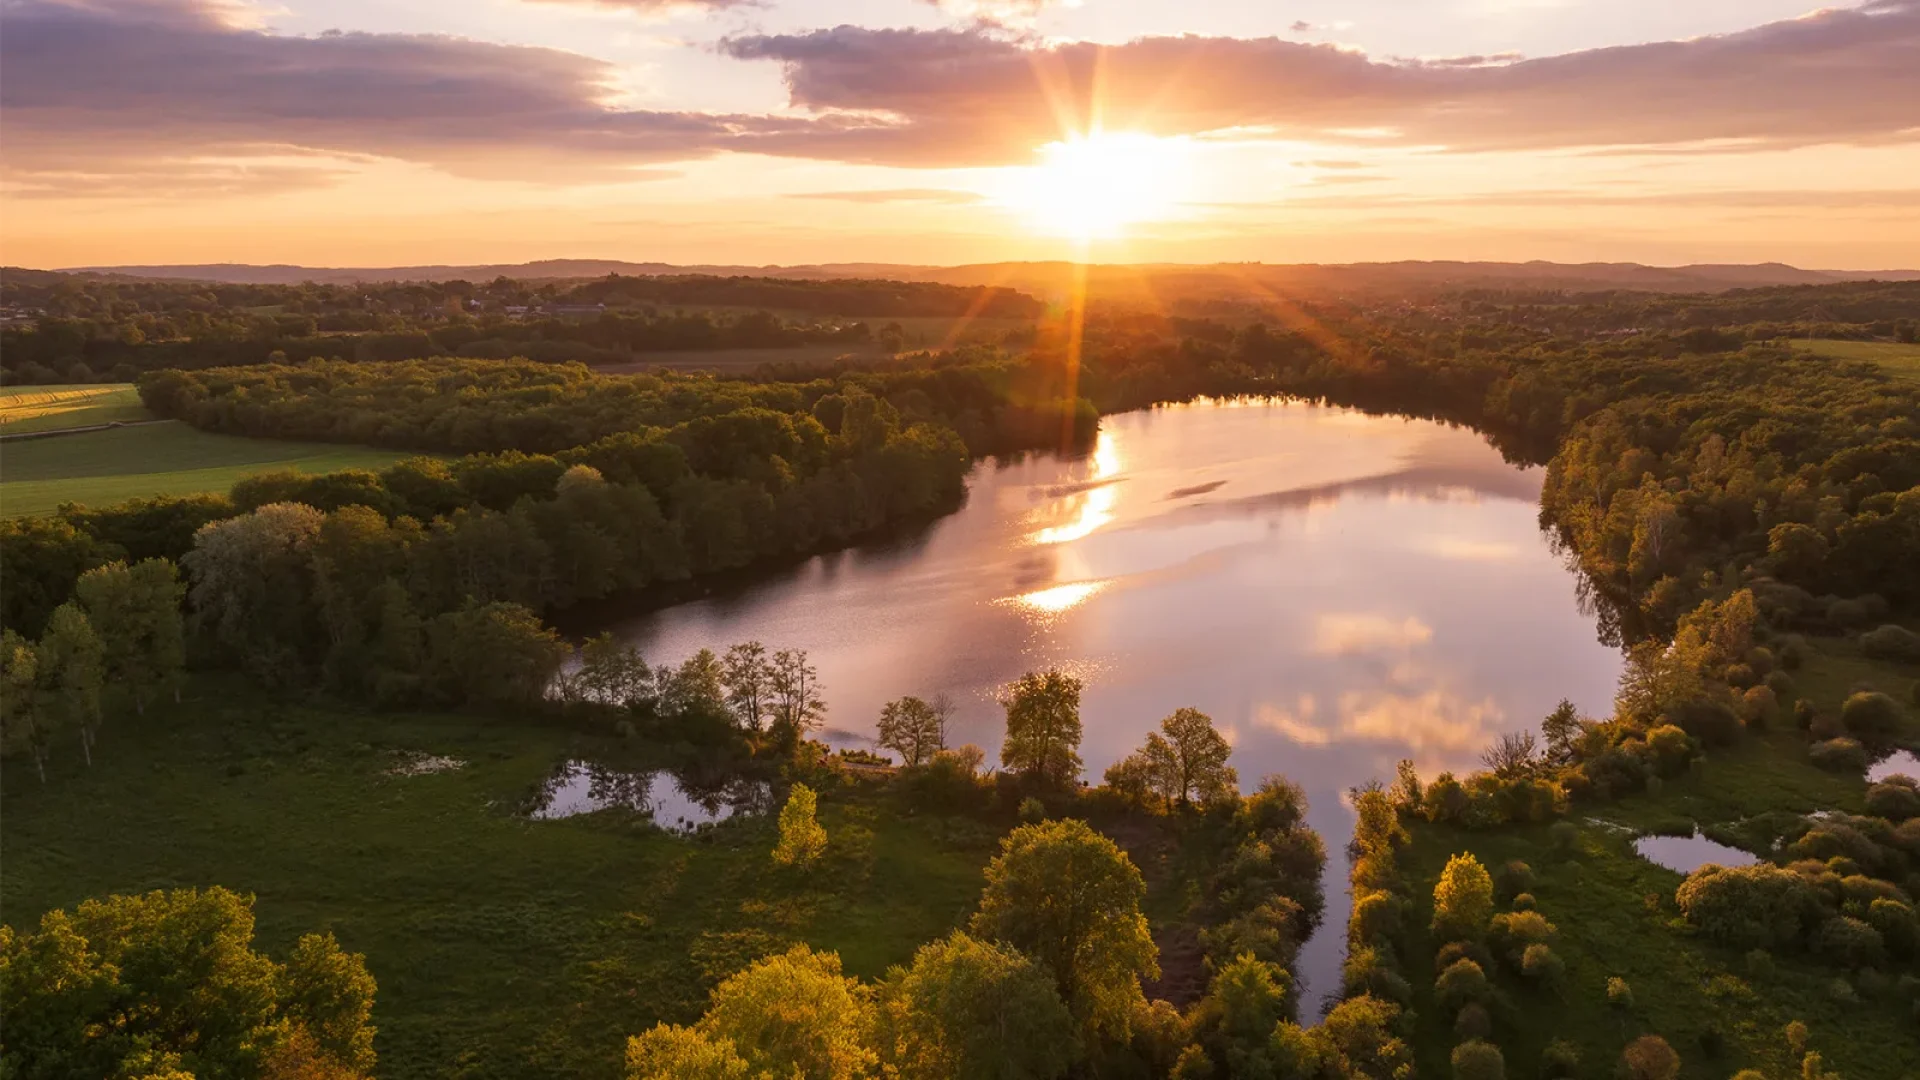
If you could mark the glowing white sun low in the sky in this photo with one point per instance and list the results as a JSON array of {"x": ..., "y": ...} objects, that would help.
[{"x": 1095, "y": 187}]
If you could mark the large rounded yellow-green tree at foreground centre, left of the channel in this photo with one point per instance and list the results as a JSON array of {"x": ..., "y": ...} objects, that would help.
[{"x": 1070, "y": 898}]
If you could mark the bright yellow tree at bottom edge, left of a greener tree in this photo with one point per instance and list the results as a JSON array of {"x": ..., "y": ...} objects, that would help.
[{"x": 794, "y": 1016}]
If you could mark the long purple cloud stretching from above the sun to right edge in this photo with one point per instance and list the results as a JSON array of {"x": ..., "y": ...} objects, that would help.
[{"x": 980, "y": 97}]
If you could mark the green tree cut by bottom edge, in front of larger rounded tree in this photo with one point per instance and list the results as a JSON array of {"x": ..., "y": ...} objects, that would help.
[{"x": 972, "y": 1010}]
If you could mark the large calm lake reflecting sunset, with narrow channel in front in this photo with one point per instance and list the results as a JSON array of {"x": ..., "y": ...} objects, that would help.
[{"x": 1335, "y": 591}]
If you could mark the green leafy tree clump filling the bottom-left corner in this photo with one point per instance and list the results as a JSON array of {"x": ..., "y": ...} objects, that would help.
[{"x": 139, "y": 985}]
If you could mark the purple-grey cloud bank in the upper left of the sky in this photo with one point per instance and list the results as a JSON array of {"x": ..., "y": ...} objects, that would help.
[{"x": 93, "y": 87}]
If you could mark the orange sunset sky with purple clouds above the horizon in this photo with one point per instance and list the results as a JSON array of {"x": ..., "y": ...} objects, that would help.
[{"x": 959, "y": 132}]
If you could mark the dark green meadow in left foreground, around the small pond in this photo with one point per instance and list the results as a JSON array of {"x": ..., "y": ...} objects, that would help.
[{"x": 504, "y": 948}]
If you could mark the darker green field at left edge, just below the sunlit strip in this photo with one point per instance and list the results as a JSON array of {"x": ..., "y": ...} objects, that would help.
[{"x": 103, "y": 468}]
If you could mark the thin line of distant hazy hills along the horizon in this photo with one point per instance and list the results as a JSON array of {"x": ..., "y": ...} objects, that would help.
[{"x": 1107, "y": 280}]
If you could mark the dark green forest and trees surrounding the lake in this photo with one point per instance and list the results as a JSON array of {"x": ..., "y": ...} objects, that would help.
[{"x": 1740, "y": 514}]
